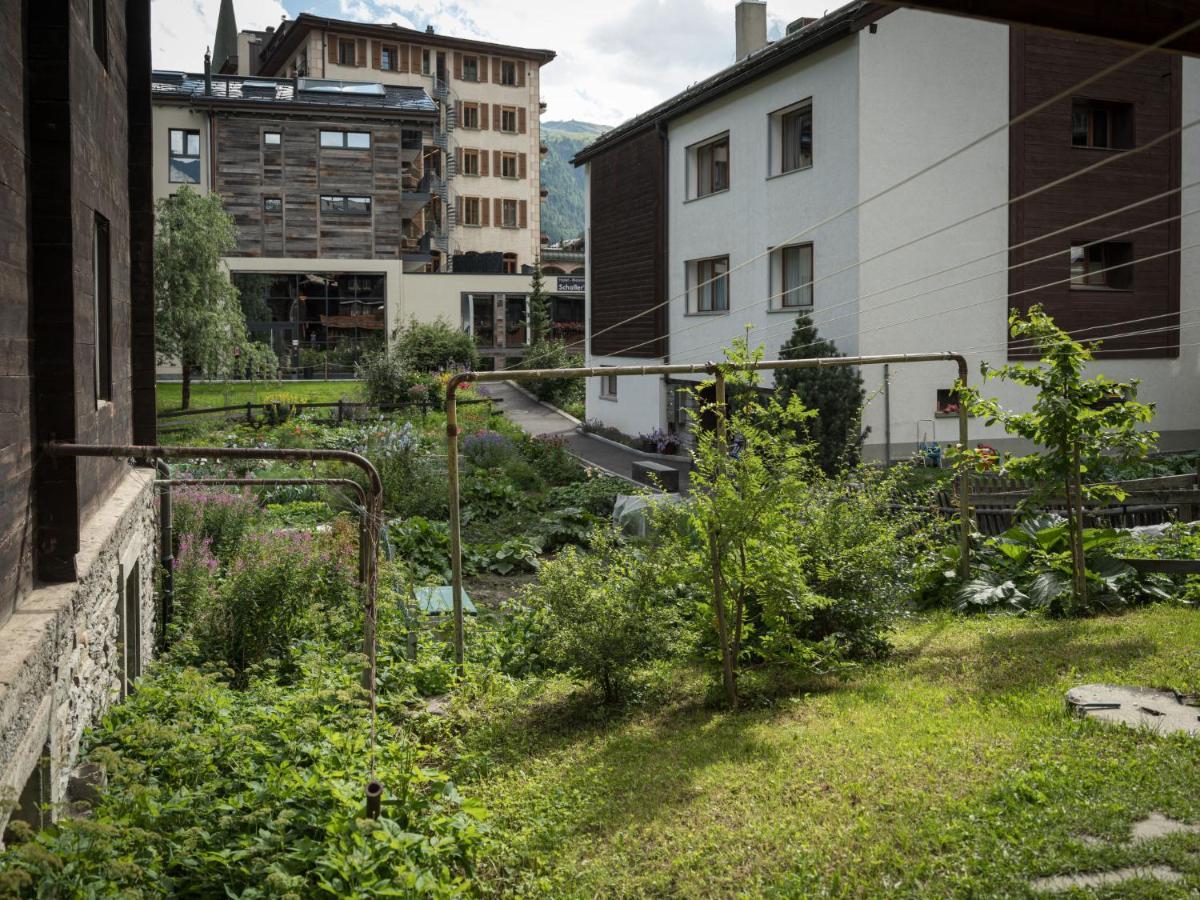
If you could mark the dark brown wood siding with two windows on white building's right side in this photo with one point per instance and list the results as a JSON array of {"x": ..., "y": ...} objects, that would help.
[{"x": 1042, "y": 65}]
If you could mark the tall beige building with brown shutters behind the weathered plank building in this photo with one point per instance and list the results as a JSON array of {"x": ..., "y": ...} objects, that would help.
[{"x": 484, "y": 154}]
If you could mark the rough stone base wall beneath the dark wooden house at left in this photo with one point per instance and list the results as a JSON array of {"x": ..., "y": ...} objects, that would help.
[{"x": 67, "y": 653}]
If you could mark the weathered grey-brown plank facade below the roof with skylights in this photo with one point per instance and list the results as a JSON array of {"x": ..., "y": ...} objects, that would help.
[{"x": 299, "y": 171}]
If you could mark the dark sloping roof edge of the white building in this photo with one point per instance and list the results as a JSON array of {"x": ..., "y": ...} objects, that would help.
[{"x": 796, "y": 45}]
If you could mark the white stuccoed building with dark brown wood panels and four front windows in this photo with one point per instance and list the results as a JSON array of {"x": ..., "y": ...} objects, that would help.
[{"x": 783, "y": 170}]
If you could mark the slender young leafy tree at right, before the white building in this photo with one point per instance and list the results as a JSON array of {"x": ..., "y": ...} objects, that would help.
[{"x": 1076, "y": 421}]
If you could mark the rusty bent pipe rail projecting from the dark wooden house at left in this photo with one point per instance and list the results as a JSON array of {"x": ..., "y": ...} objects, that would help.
[{"x": 374, "y": 515}]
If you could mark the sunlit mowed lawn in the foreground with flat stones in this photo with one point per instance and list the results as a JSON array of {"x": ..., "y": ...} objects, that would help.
[{"x": 952, "y": 771}]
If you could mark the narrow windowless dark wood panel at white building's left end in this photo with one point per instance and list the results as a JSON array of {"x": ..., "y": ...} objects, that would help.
[{"x": 628, "y": 244}]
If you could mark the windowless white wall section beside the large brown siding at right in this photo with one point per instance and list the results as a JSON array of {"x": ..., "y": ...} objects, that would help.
[{"x": 929, "y": 85}]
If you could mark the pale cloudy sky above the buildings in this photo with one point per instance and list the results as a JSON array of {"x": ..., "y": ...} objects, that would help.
[{"x": 616, "y": 58}]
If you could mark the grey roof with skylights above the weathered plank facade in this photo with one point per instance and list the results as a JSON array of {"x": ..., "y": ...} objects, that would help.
[{"x": 364, "y": 97}]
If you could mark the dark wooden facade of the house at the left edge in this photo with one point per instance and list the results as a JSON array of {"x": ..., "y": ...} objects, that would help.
[{"x": 75, "y": 153}]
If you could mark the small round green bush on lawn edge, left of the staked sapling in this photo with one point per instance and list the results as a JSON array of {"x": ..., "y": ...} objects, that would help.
[{"x": 603, "y": 616}]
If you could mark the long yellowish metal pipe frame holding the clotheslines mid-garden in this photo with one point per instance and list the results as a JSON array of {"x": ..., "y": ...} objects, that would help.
[{"x": 718, "y": 371}]
